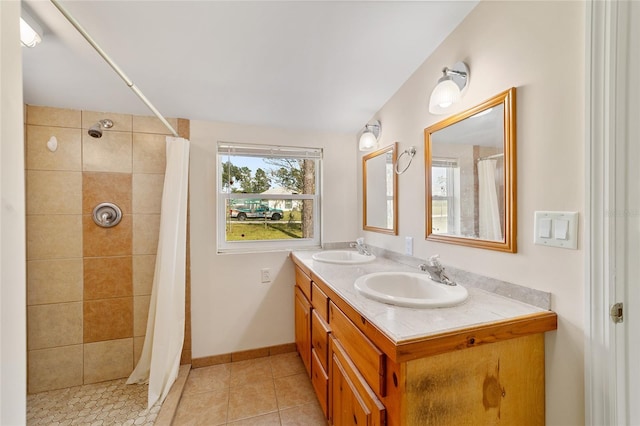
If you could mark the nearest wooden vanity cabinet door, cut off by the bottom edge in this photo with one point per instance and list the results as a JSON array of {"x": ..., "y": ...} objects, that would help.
[{"x": 352, "y": 402}]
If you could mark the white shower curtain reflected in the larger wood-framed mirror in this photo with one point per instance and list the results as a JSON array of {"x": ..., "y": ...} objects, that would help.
[{"x": 489, "y": 212}]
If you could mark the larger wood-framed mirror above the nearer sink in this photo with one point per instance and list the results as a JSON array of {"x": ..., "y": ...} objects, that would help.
[{"x": 470, "y": 174}]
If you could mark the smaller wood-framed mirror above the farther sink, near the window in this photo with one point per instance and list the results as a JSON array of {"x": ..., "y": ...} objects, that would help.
[{"x": 380, "y": 191}]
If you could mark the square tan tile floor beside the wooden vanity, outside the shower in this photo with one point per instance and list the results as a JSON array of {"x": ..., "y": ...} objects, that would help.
[{"x": 264, "y": 391}]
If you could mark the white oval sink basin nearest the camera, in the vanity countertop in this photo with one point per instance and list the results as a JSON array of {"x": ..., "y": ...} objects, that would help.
[{"x": 410, "y": 289}]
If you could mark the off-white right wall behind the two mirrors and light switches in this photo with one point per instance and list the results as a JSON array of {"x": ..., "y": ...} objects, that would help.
[{"x": 537, "y": 47}]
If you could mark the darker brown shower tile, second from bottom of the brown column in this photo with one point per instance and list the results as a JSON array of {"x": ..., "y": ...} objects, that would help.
[{"x": 106, "y": 277}]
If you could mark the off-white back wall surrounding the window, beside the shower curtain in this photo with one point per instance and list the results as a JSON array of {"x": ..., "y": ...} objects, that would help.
[{"x": 230, "y": 309}]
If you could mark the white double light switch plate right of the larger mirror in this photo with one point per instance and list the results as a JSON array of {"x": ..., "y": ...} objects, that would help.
[{"x": 558, "y": 221}]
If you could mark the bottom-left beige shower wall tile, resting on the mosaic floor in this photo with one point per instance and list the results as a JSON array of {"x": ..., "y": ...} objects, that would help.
[{"x": 54, "y": 368}]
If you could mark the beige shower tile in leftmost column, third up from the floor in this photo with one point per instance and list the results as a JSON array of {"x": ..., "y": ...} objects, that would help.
[{"x": 54, "y": 281}]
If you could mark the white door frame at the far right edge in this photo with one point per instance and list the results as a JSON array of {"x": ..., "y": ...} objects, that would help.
[{"x": 605, "y": 99}]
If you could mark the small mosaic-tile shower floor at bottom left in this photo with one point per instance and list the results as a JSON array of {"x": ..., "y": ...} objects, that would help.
[{"x": 99, "y": 404}]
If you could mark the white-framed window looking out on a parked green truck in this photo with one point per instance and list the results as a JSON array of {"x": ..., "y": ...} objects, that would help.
[{"x": 268, "y": 197}]
